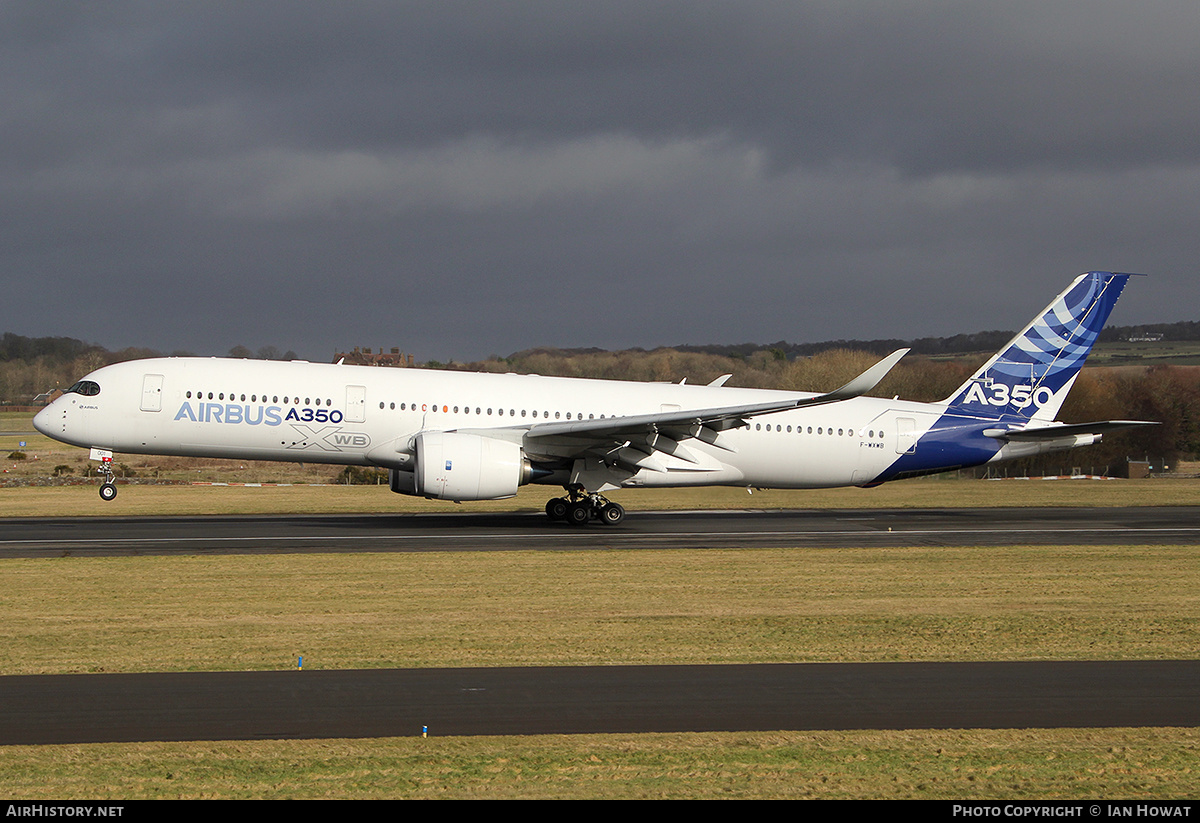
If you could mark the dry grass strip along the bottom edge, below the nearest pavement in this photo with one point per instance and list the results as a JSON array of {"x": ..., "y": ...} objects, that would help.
[{"x": 1069, "y": 765}]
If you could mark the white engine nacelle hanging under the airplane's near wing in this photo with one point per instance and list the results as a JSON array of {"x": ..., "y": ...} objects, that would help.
[{"x": 463, "y": 467}]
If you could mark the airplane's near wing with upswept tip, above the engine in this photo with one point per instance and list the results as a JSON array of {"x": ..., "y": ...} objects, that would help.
[{"x": 716, "y": 419}]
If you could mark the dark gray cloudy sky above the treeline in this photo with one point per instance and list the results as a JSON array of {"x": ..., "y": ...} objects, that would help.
[{"x": 464, "y": 179}]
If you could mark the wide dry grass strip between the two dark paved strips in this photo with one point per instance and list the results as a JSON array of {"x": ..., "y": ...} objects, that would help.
[{"x": 526, "y": 609}]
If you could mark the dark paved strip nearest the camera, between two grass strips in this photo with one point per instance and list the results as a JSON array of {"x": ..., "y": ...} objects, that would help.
[{"x": 626, "y": 700}]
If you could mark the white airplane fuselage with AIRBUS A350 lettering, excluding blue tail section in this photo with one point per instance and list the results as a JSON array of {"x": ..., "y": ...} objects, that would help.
[{"x": 364, "y": 416}]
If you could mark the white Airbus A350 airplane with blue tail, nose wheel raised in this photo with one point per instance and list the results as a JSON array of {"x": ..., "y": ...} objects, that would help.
[{"x": 461, "y": 436}]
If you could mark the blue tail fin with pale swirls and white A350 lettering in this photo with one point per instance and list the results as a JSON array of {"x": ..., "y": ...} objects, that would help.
[{"x": 1030, "y": 377}]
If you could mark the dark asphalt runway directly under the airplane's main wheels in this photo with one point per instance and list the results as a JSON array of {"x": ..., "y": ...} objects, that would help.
[{"x": 640, "y": 531}]
